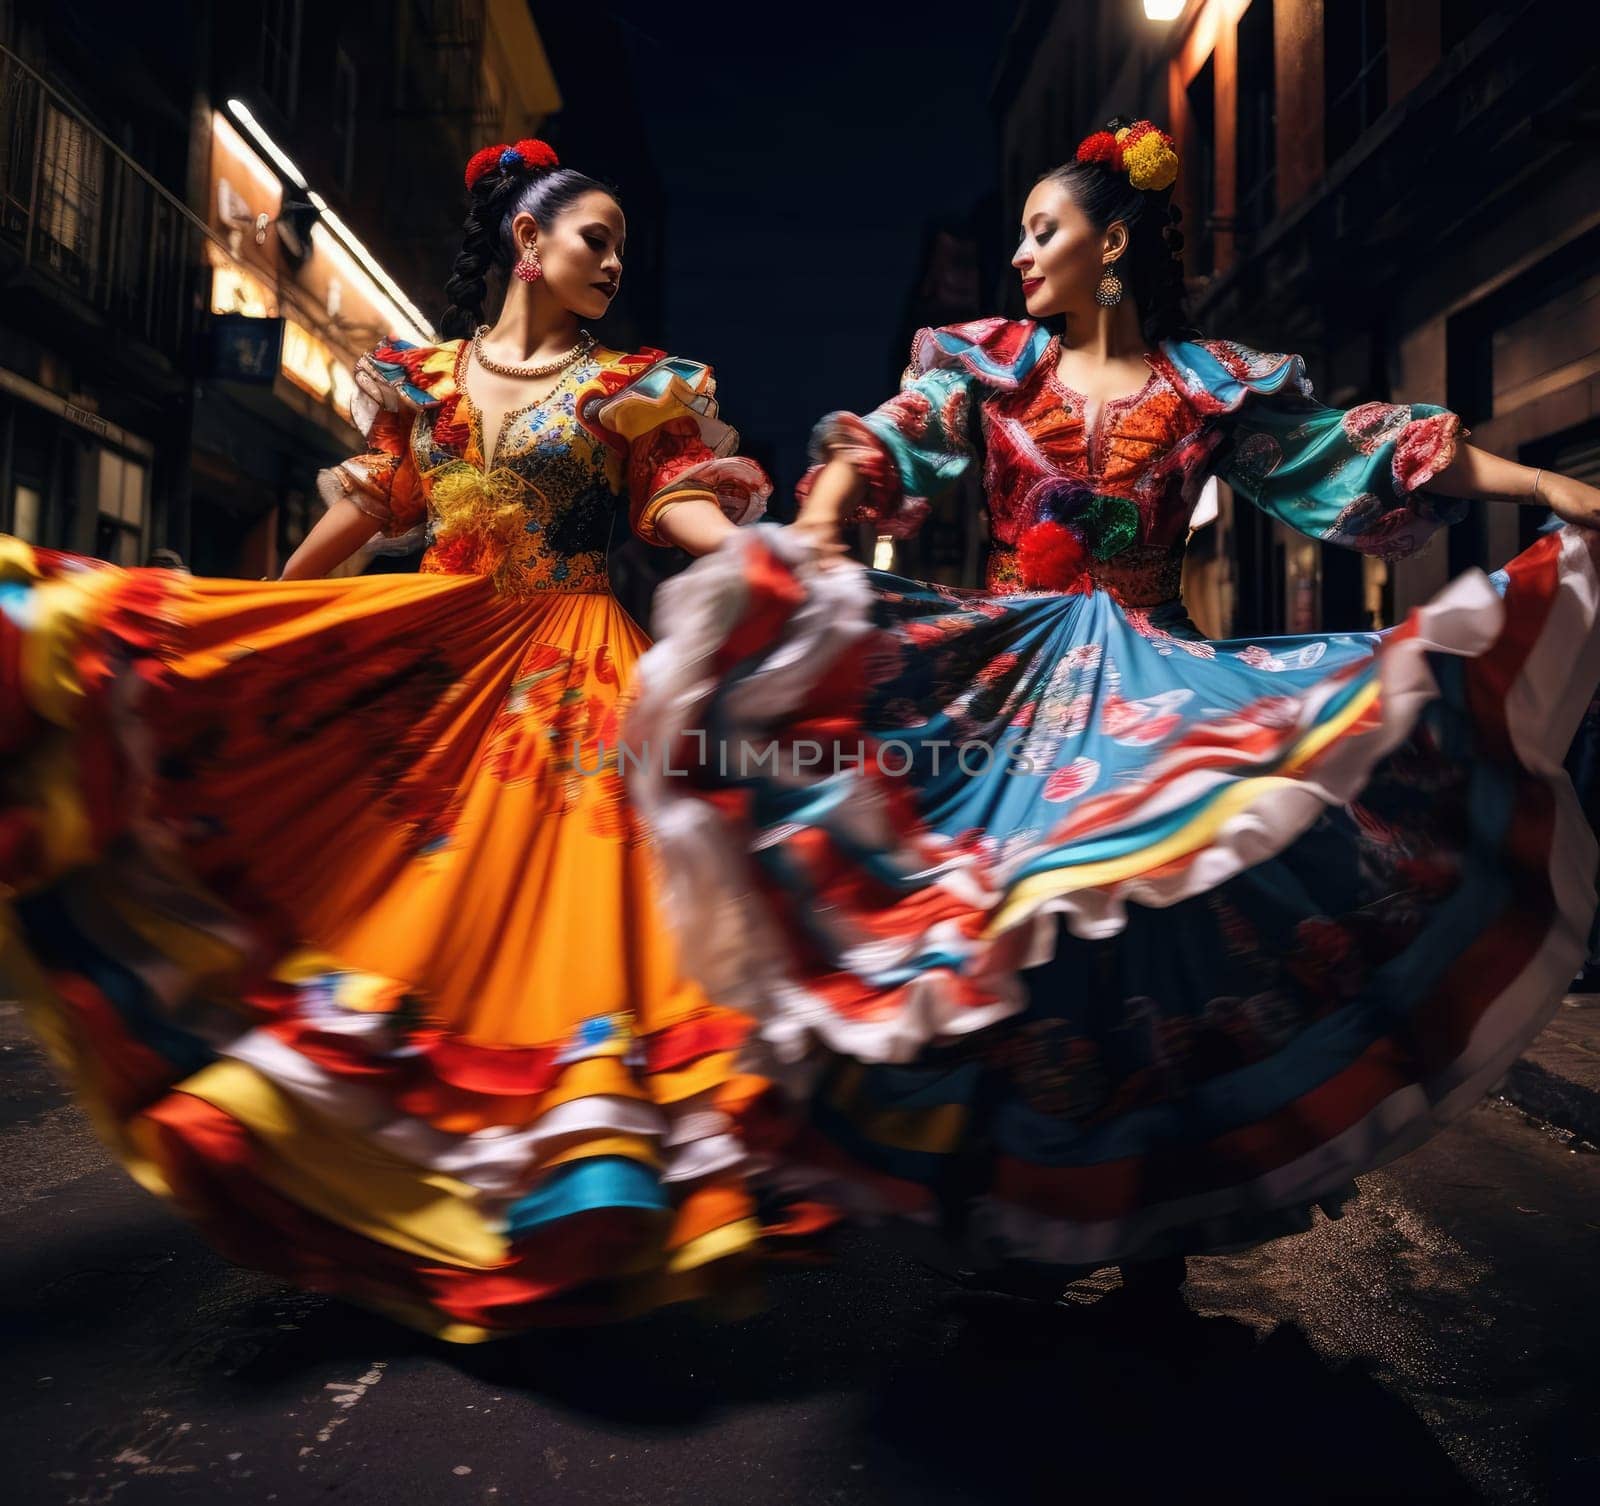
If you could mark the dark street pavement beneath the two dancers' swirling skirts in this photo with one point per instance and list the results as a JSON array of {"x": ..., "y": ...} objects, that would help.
[{"x": 1434, "y": 1345}]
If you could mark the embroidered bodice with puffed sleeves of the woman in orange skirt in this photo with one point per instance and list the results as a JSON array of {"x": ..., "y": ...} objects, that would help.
[{"x": 638, "y": 431}]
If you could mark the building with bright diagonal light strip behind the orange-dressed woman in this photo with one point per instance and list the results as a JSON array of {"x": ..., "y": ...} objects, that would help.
[{"x": 332, "y": 148}]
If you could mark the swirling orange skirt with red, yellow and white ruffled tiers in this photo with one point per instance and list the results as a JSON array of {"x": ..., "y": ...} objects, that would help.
[{"x": 329, "y": 900}]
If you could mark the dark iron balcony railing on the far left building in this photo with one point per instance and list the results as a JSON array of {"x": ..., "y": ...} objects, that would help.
[{"x": 87, "y": 218}]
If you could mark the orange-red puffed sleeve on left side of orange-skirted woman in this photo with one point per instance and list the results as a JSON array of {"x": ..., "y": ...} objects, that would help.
[{"x": 383, "y": 481}]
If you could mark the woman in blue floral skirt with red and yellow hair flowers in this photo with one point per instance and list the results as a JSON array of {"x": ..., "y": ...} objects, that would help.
[{"x": 1074, "y": 937}]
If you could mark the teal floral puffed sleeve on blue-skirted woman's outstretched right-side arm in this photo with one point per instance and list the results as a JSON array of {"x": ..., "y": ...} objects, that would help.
[{"x": 1346, "y": 476}]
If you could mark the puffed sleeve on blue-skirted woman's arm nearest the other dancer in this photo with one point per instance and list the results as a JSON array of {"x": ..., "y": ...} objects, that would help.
[{"x": 927, "y": 436}]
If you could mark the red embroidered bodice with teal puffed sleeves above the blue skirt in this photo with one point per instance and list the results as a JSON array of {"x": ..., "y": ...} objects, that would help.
[{"x": 1129, "y": 471}]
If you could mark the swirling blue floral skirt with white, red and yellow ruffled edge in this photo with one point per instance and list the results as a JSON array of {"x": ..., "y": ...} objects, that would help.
[{"x": 1084, "y": 939}]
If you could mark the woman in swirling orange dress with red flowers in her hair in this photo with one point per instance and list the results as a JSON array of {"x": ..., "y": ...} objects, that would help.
[{"x": 327, "y": 894}]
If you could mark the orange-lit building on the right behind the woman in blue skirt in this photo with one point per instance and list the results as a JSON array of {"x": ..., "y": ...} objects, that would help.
[{"x": 1404, "y": 191}]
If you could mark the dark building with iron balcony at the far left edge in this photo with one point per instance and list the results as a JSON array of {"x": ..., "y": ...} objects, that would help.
[{"x": 100, "y": 279}]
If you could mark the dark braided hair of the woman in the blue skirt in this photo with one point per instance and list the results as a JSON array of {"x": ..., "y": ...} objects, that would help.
[{"x": 1153, "y": 268}]
